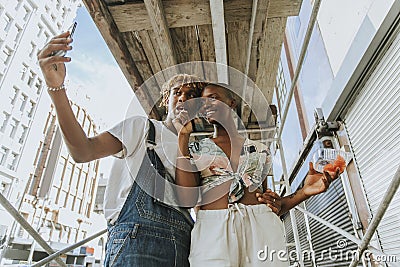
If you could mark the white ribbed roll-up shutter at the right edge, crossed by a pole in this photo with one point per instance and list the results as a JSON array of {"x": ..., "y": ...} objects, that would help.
[{"x": 373, "y": 125}]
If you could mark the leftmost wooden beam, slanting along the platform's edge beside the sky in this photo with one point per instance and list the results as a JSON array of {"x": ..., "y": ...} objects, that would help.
[{"x": 111, "y": 35}]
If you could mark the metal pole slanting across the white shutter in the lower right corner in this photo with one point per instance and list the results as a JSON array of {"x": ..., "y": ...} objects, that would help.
[{"x": 390, "y": 192}]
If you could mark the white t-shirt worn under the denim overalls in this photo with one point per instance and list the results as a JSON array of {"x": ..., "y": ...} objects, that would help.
[{"x": 133, "y": 132}]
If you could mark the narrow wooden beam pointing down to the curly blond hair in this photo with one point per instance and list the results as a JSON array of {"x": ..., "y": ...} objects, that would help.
[{"x": 159, "y": 24}]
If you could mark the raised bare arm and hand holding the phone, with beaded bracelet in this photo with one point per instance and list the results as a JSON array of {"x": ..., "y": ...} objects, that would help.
[{"x": 81, "y": 148}]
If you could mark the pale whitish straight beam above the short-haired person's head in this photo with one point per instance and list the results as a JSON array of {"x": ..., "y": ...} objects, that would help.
[{"x": 218, "y": 24}]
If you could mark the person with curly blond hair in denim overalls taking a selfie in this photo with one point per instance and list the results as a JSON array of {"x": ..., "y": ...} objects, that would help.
[{"x": 142, "y": 230}]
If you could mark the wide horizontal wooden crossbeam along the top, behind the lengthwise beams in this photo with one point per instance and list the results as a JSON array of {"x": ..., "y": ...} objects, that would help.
[{"x": 182, "y": 13}]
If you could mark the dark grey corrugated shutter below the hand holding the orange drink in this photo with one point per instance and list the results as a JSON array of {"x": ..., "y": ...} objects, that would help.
[{"x": 330, "y": 248}]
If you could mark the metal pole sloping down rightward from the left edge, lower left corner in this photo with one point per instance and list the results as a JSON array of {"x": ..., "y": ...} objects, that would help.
[{"x": 15, "y": 214}]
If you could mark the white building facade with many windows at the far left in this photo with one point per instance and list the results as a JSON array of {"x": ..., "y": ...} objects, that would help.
[{"x": 26, "y": 26}]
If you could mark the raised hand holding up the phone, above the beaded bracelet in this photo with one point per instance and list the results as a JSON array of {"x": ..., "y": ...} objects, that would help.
[{"x": 53, "y": 67}]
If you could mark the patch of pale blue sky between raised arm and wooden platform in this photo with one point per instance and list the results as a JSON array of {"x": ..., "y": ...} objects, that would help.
[{"x": 95, "y": 79}]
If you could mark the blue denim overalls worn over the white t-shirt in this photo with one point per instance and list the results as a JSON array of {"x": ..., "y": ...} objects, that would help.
[{"x": 147, "y": 232}]
